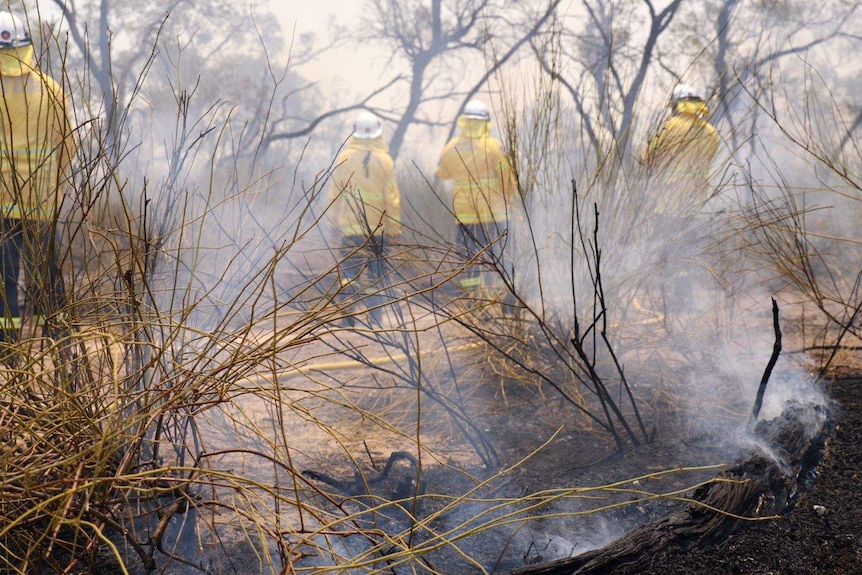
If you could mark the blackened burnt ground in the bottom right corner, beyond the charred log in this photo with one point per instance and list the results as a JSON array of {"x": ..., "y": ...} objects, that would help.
[{"x": 821, "y": 535}]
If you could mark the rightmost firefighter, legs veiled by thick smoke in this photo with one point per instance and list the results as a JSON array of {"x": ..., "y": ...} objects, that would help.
[{"x": 680, "y": 159}]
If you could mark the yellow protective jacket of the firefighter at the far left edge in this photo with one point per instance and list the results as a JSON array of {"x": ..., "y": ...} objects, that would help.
[{"x": 36, "y": 139}]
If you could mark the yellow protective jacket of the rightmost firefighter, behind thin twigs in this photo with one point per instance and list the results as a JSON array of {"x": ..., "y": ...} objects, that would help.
[{"x": 684, "y": 149}]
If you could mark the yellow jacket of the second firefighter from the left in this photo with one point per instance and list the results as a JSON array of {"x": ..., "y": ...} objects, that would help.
[{"x": 364, "y": 191}]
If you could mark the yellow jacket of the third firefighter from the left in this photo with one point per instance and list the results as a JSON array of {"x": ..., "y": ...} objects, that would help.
[{"x": 482, "y": 180}]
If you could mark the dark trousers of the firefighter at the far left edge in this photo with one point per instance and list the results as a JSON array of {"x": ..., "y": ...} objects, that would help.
[{"x": 30, "y": 245}]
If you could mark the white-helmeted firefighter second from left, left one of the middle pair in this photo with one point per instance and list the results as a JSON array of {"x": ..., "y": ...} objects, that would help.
[{"x": 367, "y": 208}]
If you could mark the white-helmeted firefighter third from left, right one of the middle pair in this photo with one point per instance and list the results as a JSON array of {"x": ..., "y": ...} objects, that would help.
[{"x": 483, "y": 185}]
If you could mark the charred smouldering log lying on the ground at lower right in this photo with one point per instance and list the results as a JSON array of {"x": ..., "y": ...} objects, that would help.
[{"x": 763, "y": 483}]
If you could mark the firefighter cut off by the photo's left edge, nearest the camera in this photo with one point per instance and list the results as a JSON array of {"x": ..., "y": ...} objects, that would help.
[{"x": 36, "y": 150}]
